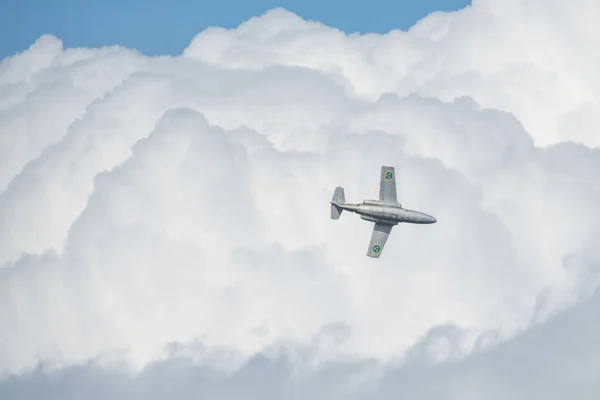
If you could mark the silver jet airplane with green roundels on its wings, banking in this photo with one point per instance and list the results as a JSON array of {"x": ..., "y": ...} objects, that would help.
[{"x": 386, "y": 212}]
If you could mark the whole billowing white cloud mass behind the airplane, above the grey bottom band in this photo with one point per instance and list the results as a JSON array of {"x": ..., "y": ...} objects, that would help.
[{"x": 158, "y": 209}]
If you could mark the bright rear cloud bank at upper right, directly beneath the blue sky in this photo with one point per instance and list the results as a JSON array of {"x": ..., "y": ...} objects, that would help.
[{"x": 532, "y": 58}]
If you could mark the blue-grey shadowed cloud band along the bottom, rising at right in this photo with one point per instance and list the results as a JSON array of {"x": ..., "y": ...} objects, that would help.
[{"x": 551, "y": 361}]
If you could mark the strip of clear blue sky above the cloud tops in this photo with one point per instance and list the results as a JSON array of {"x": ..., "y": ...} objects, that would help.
[{"x": 167, "y": 26}]
